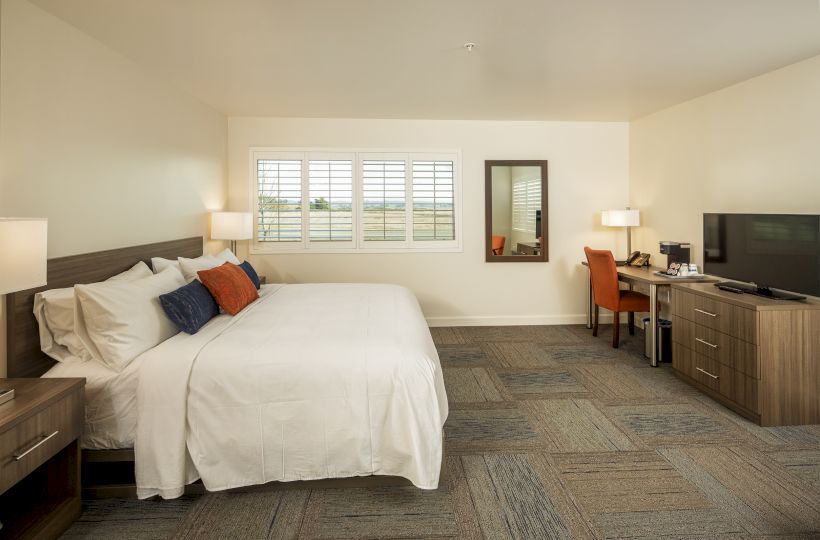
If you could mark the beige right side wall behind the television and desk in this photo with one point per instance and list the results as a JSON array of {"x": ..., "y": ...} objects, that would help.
[{"x": 752, "y": 147}]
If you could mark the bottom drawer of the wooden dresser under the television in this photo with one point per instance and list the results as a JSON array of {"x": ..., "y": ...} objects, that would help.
[{"x": 728, "y": 382}]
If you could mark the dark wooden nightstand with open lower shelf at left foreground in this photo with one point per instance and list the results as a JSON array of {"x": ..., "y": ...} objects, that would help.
[{"x": 40, "y": 457}]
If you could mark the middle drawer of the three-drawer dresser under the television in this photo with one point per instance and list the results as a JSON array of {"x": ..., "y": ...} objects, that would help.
[{"x": 733, "y": 352}]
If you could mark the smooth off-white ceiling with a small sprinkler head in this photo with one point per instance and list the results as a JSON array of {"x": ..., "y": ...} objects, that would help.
[{"x": 535, "y": 60}]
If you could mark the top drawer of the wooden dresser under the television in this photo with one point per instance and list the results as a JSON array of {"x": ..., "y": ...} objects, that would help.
[{"x": 715, "y": 314}]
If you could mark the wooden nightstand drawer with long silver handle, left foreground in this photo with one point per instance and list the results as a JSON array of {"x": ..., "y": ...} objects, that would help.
[{"x": 30, "y": 443}]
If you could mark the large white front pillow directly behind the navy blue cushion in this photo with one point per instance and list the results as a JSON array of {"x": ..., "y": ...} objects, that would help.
[{"x": 117, "y": 321}]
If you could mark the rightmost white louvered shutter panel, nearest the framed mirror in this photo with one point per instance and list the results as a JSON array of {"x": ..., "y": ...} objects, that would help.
[{"x": 433, "y": 200}]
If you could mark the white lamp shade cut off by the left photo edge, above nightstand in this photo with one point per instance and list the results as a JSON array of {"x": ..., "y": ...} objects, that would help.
[{"x": 24, "y": 245}]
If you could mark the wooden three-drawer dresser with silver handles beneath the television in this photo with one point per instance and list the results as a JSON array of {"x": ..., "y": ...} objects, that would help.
[{"x": 759, "y": 357}]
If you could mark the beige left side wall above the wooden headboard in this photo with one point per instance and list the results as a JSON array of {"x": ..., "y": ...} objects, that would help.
[{"x": 95, "y": 144}]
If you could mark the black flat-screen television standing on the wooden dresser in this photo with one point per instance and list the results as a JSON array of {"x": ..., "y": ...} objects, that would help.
[{"x": 767, "y": 253}]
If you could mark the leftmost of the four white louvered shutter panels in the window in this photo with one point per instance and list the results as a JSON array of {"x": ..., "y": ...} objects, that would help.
[{"x": 279, "y": 198}]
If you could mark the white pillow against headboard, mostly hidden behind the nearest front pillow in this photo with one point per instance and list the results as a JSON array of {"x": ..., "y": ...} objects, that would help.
[{"x": 54, "y": 311}]
